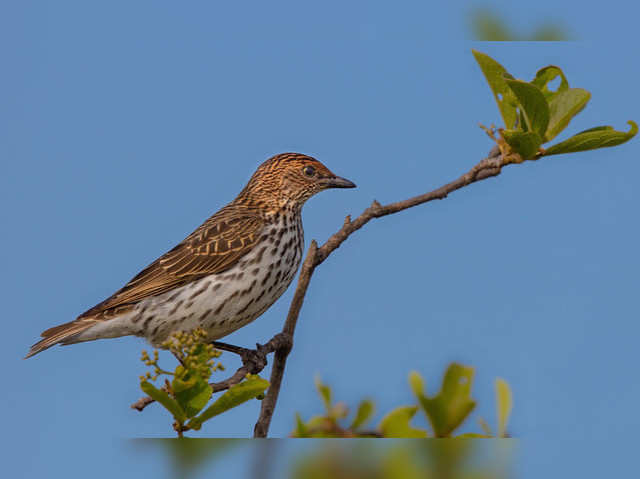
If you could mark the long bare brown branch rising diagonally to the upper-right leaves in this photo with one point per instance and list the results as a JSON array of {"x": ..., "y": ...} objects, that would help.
[{"x": 489, "y": 167}]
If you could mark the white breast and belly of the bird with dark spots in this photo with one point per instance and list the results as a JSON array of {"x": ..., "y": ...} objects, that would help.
[{"x": 222, "y": 303}]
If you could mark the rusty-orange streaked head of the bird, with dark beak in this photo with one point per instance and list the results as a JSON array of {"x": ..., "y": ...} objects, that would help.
[{"x": 290, "y": 179}]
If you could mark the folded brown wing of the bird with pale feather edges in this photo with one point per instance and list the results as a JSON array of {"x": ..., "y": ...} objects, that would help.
[{"x": 214, "y": 247}]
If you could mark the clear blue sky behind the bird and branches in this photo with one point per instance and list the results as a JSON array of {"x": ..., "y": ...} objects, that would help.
[{"x": 123, "y": 125}]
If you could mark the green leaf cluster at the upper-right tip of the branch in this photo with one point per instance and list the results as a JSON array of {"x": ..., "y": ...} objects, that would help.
[{"x": 534, "y": 114}]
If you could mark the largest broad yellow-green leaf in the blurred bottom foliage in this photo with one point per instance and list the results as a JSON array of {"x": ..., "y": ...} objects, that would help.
[{"x": 453, "y": 404}]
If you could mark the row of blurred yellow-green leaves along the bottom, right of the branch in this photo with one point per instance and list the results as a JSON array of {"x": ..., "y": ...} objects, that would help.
[{"x": 445, "y": 411}]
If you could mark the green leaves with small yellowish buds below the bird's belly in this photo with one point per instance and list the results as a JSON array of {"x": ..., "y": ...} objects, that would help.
[{"x": 189, "y": 391}]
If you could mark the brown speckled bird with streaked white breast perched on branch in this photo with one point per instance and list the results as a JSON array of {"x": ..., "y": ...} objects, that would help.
[{"x": 222, "y": 276}]
